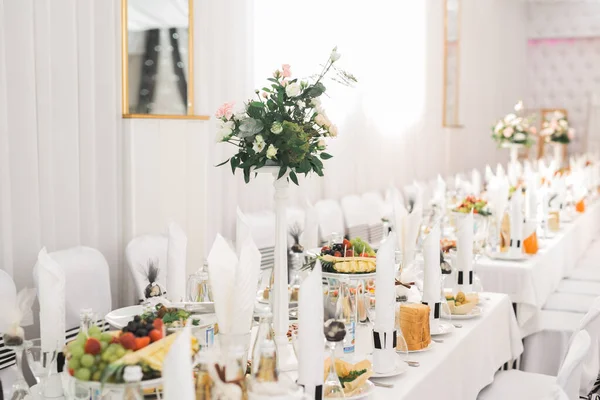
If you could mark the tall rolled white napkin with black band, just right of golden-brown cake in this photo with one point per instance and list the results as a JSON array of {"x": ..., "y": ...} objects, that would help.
[{"x": 432, "y": 275}]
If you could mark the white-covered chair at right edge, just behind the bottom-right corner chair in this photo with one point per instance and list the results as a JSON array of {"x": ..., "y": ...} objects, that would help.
[{"x": 553, "y": 331}]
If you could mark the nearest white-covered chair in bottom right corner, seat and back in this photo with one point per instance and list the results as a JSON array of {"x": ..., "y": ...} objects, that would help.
[{"x": 520, "y": 385}]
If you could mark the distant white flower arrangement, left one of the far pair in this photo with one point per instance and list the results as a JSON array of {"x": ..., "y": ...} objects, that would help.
[{"x": 514, "y": 129}]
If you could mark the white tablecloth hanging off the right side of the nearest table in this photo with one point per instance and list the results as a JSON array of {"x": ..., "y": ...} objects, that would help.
[{"x": 465, "y": 362}]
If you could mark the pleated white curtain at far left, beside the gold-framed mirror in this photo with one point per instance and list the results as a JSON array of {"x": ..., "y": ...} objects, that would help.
[{"x": 60, "y": 142}]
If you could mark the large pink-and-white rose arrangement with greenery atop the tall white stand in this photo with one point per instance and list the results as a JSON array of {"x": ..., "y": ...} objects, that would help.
[{"x": 284, "y": 126}]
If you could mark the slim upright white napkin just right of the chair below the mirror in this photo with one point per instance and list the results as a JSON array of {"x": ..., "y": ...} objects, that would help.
[{"x": 176, "y": 263}]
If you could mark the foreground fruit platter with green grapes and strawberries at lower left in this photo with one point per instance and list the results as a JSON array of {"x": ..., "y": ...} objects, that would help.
[{"x": 100, "y": 358}]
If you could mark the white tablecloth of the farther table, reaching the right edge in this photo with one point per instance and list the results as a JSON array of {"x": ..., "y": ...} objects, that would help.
[{"x": 530, "y": 282}]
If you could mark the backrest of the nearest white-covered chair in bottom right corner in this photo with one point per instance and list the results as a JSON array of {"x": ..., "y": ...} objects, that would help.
[{"x": 569, "y": 375}]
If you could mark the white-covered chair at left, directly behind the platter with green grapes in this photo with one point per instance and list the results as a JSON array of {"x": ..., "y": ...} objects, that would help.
[{"x": 87, "y": 285}]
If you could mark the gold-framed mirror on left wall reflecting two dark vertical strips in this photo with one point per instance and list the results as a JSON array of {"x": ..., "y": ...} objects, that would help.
[{"x": 158, "y": 59}]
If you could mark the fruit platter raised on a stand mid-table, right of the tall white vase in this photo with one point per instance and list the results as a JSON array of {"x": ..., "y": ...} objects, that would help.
[{"x": 351, "y": 257}]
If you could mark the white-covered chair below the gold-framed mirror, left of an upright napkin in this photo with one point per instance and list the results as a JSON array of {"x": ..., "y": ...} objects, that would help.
[{"x": 140, "y": 252}]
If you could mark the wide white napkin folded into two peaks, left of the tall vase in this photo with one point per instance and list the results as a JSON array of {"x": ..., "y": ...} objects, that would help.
[{"x": 234, "y": 283}]
